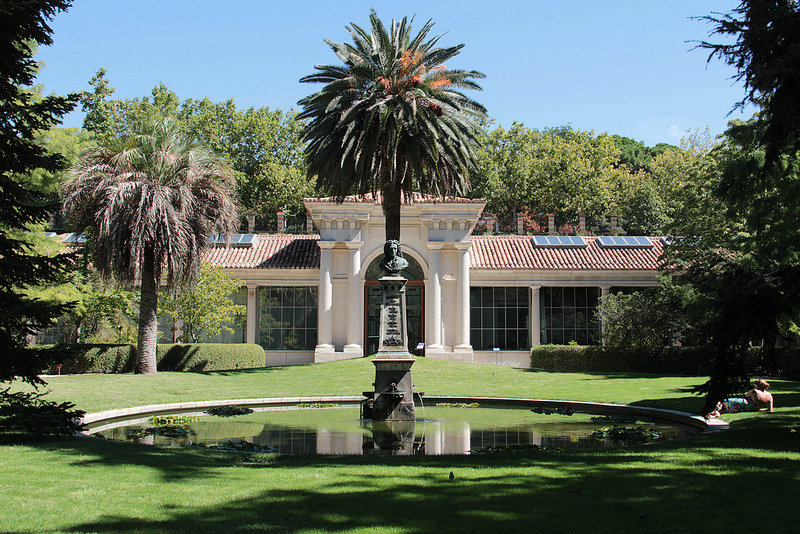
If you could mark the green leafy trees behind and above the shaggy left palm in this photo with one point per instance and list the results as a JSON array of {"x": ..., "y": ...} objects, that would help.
[{"x": 262, "y": 146}]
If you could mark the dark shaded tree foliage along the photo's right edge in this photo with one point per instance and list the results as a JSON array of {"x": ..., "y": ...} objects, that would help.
[{"x": 745, "y": 257}]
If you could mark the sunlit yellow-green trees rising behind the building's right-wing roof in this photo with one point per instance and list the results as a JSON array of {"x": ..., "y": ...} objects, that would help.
[{"x": 569, "y": 172}]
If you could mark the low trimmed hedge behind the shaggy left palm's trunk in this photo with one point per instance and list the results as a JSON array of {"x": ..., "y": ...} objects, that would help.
[{"x": 104, "y": 358}]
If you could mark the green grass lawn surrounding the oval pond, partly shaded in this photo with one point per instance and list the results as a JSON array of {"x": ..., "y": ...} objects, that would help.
[{"x": 713, "y": 483}]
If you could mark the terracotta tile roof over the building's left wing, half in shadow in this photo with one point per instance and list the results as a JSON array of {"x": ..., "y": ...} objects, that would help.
[{"x": 277, "y": 251}]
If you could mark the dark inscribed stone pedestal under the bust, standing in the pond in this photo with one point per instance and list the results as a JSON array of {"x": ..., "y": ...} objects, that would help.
[{"x": 393, "y": 399}]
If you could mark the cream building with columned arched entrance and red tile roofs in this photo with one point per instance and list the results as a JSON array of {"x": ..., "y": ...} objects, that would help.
[{"x": 485, "y": 299}]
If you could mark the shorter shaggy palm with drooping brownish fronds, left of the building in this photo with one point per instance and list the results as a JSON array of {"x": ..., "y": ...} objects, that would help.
[{"x": 149, "y": 201}]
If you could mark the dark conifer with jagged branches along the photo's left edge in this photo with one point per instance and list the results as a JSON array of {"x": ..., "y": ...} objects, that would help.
[{"x": 24, "y": 115}]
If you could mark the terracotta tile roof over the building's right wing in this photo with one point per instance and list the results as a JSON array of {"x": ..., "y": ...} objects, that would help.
[{"x": 519, "y": 252}]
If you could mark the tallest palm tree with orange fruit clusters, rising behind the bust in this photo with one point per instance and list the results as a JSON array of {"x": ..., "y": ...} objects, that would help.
[{"x": 392, "y": 118}]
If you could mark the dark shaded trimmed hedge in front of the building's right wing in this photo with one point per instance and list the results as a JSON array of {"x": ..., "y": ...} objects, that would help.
[{"x": 783, "y": 361}]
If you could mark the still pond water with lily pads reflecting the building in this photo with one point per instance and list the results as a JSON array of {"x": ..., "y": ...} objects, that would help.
[{"x": 440, "y": 430}]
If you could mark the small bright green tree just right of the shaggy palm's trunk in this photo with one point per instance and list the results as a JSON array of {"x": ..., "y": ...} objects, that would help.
[{"x": 205, "y": 307}]
